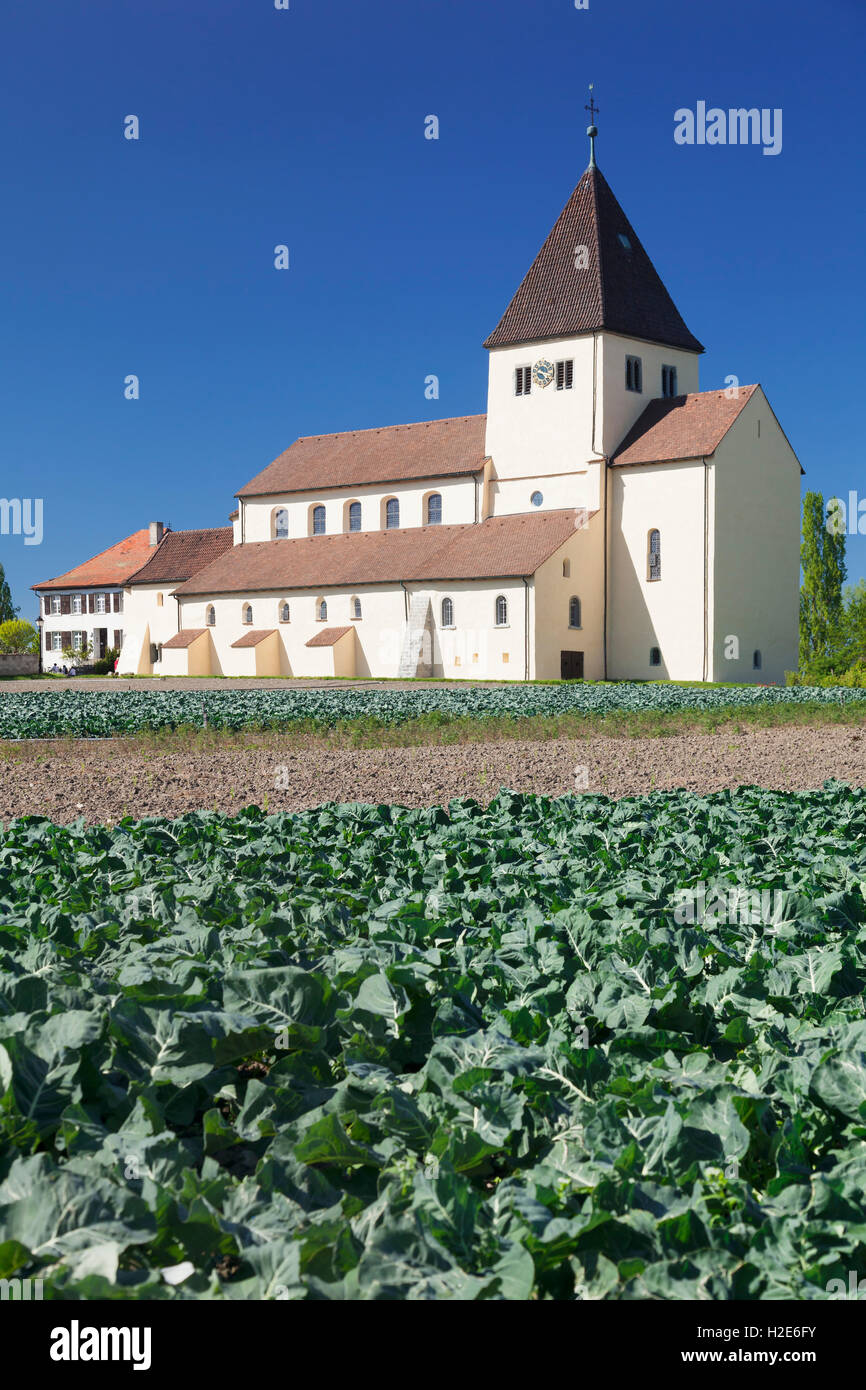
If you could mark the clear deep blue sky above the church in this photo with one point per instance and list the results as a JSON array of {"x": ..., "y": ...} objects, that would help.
[{"x": 307, "y": 127}]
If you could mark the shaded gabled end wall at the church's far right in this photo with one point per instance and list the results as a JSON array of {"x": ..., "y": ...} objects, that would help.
[{"x": 757, "y": 551}]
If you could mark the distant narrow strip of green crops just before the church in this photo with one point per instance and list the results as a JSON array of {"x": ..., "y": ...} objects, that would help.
[{"x": 104, "y": 714}]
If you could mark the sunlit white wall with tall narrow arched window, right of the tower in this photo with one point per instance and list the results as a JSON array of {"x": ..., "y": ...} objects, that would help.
[{"x": 669, "y": 612}]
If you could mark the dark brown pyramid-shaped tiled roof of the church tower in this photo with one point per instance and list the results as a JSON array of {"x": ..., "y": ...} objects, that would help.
[{"x": 621, "y": 288}]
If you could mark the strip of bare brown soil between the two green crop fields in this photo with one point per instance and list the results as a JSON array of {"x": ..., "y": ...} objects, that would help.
[{"x": 105, "y": 782}]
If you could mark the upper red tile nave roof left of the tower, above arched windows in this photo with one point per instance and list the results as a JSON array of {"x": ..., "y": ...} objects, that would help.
[{"x": 429, "y": 450}]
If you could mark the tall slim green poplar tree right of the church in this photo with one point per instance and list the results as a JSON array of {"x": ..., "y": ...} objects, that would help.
[{"x": 821, "y": 597}]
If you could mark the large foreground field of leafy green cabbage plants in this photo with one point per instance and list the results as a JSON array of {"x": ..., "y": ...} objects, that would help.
[{"x": 534, "y": 1050}]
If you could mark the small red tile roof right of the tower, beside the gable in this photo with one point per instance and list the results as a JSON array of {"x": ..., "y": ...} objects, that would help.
[{"x": 682, "y": 427}]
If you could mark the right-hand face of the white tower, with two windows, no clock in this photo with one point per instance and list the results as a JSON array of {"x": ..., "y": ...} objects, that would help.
[{"x": 622, "y": 408}]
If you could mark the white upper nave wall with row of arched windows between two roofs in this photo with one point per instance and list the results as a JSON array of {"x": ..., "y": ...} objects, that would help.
[{"x": 458, "y": 507}]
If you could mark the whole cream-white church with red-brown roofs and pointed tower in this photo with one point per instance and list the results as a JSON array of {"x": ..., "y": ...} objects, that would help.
[{"x": 603, "y": 519}]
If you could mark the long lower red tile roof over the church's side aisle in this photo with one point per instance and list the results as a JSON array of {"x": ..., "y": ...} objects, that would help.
[{"x": 497, "y": 548}]
